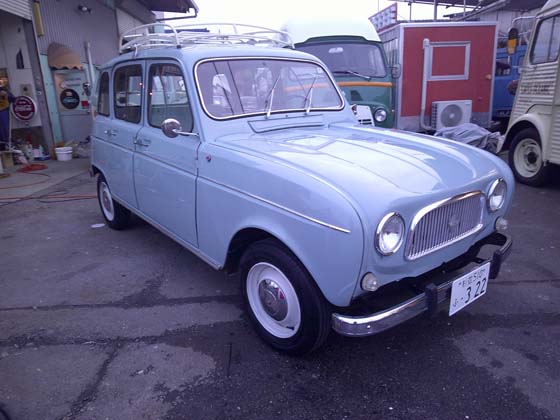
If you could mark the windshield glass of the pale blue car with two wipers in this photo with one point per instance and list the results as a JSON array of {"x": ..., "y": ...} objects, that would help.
[{"x": 237, "y": 87}]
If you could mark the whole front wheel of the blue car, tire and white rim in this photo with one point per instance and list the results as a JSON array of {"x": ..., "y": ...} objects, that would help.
[{"x": 289, "y": 312}]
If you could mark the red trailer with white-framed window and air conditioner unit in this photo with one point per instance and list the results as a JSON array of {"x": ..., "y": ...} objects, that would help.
[{"x": 447, "y": 73}]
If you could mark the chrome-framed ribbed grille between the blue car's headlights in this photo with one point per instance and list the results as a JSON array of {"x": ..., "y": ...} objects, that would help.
[{"x": 444, "y": 223}]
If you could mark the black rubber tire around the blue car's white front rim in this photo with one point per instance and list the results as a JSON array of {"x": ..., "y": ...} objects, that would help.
[{"x": 315, "y": 311}]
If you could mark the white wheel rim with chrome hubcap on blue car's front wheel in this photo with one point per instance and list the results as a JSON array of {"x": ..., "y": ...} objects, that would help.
[{"x": 273, "y": 300}]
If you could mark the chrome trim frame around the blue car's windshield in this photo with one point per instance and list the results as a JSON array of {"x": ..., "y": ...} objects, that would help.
[{"x": 278, "y": 111}]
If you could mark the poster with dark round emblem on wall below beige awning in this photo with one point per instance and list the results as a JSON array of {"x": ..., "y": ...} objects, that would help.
[{"x": 71, "y": 96}]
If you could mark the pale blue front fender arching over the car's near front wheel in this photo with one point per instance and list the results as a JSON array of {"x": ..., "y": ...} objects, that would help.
[{"x": 236, "y": 191}]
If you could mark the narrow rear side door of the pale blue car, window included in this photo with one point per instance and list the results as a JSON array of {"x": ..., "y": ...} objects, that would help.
[{"x": 125, "y": 125}]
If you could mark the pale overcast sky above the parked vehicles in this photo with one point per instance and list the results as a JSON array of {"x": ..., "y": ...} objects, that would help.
[{"x": 273, "y": 13}]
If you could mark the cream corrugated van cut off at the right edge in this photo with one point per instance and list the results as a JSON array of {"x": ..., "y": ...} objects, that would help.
[{"x": 533, "y": 134}]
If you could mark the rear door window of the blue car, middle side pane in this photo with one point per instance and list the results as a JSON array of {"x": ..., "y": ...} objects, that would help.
[{"x": 127, "y": 88}]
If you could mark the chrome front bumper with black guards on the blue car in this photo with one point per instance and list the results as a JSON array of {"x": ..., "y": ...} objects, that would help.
[{"x": 428, "y": 301}]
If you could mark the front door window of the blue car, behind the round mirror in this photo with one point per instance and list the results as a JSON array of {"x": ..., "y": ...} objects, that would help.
[{"x": 167, "y": 96}]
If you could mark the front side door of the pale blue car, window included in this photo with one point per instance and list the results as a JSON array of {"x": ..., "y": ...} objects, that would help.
[{"x": 165, "y": 168}]
